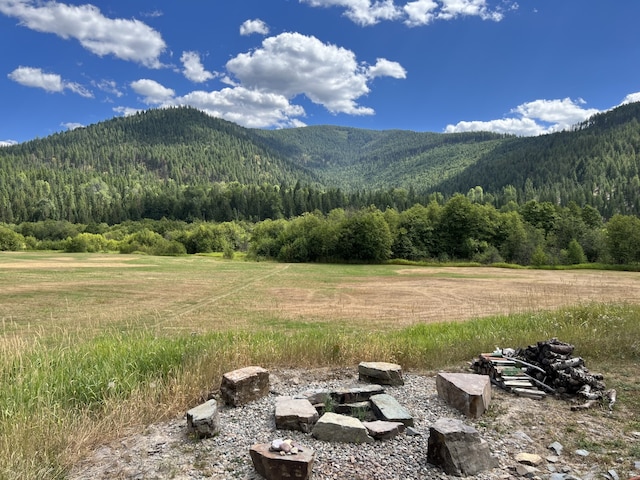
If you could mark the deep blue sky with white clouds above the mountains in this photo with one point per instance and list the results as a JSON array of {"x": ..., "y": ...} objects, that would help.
[{"x": 527, "y": 68}]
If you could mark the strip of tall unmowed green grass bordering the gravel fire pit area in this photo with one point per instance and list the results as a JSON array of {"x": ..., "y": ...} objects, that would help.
[{"x": 57, "y": 398}]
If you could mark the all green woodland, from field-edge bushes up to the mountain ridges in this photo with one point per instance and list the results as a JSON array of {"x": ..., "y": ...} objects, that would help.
[{"x": 175, "y": 181}]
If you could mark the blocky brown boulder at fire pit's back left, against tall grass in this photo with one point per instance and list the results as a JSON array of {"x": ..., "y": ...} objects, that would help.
[{"x": 244, "y": 385}]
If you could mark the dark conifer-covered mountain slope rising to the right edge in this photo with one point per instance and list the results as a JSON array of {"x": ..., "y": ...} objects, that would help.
[{"x": 597, "y": 163}]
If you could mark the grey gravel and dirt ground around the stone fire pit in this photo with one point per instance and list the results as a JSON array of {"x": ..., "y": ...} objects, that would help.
[{"x": 165, "y": 451}]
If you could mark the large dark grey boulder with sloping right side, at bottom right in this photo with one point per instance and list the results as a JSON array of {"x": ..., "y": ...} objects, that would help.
[{"x": 458, "y": 449}]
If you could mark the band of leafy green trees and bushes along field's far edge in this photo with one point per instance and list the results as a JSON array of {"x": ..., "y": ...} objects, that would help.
[{"x": 458, "y": 229}]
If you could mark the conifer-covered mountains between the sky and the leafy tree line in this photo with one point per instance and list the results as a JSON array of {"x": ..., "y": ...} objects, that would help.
[{"x": 180, "y": 163}]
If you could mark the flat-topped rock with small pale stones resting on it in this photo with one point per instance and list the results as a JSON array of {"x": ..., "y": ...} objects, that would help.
[{"x": 274, "y": 466}]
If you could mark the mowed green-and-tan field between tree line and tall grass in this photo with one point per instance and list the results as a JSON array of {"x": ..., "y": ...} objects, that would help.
[{"x": 87, "y": 293}]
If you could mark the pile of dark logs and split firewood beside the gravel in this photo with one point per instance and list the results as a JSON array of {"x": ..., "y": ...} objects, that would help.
[{"x": 550, "y": 367}]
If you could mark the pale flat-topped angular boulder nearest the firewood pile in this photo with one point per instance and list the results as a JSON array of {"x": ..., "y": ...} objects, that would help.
[{"x": 467, "y": 392}]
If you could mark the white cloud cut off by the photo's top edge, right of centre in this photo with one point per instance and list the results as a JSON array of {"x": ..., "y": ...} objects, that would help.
[{"x": 415, "y": 13}]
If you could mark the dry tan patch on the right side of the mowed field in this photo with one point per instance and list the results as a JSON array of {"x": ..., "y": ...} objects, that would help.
[{"x": 418, "y": 295}]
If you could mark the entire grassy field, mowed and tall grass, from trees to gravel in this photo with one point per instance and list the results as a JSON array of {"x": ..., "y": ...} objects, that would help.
[{"x": 96, "y": 345}]
